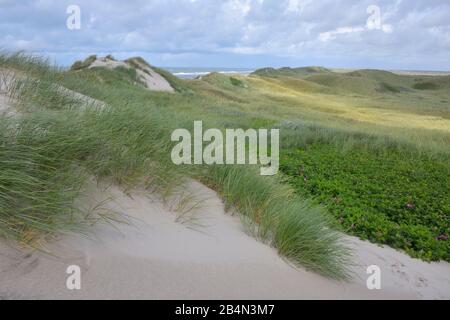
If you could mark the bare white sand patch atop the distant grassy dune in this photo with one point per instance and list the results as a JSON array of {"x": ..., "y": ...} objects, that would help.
[{"x": 147, "y": 76}]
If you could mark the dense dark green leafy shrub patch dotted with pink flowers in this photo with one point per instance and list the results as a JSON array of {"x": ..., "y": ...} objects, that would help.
[{"x": 353, "y": 185}]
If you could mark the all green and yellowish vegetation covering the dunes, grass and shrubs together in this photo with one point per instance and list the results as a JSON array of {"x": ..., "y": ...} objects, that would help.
[{"x": 364, "y": 152}]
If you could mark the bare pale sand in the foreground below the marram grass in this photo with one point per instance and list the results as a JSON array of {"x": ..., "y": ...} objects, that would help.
[{"x": 158, "y": 258}]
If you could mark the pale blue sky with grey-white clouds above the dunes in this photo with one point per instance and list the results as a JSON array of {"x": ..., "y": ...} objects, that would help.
[{"x": 383, "y": 34}]
